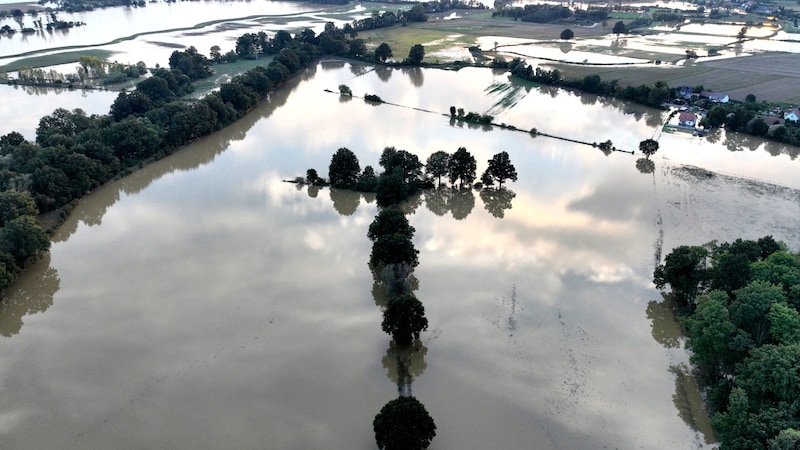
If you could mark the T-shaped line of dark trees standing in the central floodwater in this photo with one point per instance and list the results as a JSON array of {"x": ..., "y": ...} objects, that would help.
[{"x": 403, "y": 423}]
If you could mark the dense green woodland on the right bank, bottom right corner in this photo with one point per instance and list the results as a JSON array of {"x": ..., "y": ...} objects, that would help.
[{"x": 740, "y": 305}]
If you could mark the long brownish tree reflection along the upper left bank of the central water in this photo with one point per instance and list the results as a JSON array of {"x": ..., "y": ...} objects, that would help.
[{"x": 92, "y": 208}]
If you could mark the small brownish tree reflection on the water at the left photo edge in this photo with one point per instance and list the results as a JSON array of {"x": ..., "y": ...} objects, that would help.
[{"x": 31, "y": 294}]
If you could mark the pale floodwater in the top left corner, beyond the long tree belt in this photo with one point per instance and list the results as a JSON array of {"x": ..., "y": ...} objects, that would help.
[{"x": 136, "y": 34}]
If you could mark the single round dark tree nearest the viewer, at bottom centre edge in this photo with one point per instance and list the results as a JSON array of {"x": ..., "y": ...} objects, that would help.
[{"x": 403, "y": 424}]
